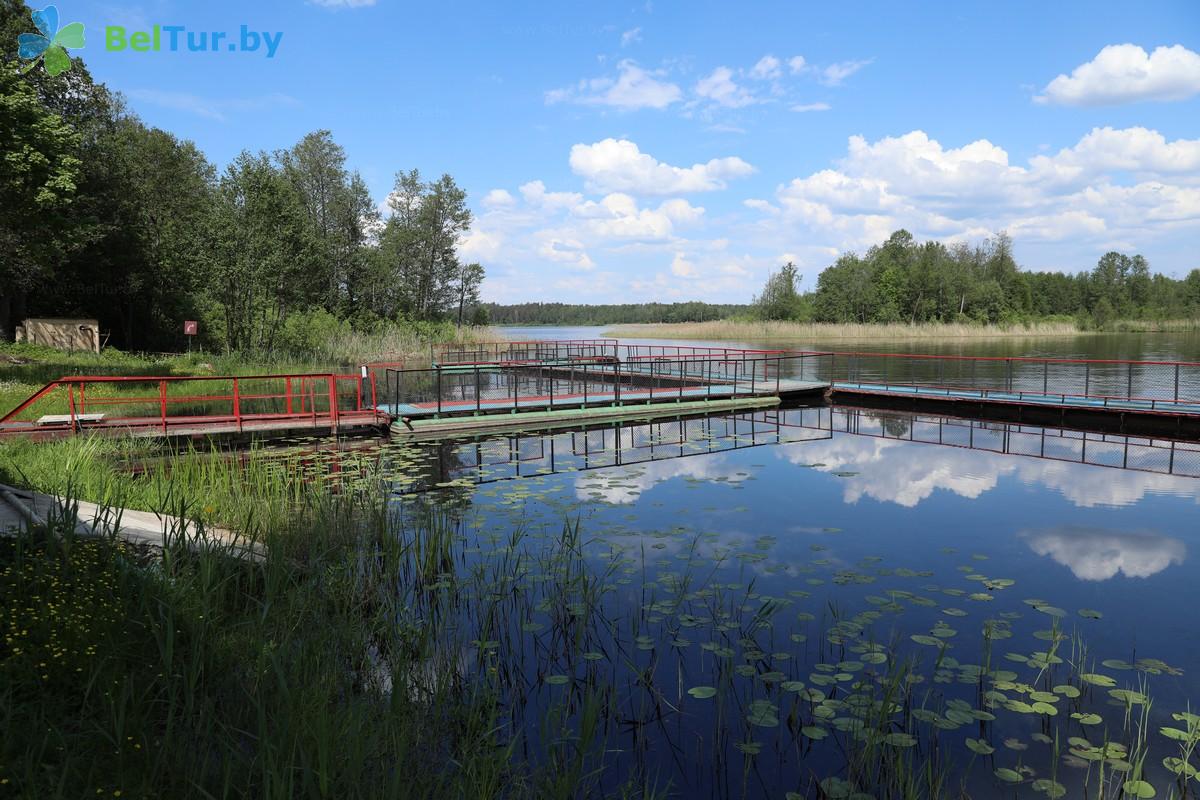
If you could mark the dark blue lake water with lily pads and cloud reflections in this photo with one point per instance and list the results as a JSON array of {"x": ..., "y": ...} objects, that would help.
[{"x": 830, "y": 601}]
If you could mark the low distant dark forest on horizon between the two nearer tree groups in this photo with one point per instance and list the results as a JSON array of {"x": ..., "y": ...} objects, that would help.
[{"x": 563, "y": 314}]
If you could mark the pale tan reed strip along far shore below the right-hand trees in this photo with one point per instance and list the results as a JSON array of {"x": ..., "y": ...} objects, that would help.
[{"x": 758, "y": 332}]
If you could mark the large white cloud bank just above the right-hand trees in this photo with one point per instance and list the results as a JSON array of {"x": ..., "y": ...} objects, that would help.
[{"x": 1083, "y": 194}]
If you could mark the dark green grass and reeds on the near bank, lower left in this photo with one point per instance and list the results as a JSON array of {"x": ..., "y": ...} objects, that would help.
[{"x": 205, "y": 676}]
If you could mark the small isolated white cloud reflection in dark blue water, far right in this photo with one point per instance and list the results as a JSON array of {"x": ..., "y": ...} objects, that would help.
[{"x": 1100, "y": 555}]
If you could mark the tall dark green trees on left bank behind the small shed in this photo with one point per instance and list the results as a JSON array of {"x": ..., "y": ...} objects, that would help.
[{"x": 107, "y": 218}]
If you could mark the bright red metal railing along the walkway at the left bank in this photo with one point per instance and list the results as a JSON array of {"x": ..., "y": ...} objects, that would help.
[{"x": 200, "y": 402}]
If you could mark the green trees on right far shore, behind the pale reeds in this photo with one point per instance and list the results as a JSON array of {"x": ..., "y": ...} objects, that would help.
[{"x": 905, "y": 281}]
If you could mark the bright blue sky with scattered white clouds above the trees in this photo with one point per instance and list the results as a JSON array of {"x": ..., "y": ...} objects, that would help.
[{"x": 681, "y": 151}]
